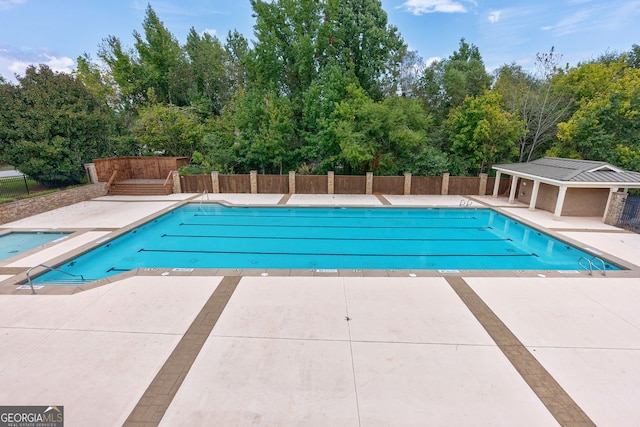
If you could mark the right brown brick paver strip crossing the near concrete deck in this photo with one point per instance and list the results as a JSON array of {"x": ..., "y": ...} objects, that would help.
[{"x": 557, "y": 401}]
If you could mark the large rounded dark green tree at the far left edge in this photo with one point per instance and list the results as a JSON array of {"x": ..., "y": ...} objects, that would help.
[{"x": 51, "y": 124}]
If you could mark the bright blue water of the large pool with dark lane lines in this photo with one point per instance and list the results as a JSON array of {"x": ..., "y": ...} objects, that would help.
[{"x": 215, "y": 236}]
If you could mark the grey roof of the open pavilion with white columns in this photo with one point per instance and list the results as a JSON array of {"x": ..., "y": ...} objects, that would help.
[{"x": 570, "y": 170}]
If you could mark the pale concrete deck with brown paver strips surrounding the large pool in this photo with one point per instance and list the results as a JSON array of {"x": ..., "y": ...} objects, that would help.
[{"x": 319, "y": 348}]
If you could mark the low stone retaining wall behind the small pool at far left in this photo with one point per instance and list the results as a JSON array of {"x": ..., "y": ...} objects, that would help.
[{"x": 23, "y": 208}]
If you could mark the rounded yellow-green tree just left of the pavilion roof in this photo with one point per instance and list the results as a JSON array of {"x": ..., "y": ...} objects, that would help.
[{"x": 482, "y": 133}]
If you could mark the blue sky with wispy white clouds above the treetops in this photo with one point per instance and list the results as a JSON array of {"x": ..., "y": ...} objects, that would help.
[{"x": 56, "y": 32}]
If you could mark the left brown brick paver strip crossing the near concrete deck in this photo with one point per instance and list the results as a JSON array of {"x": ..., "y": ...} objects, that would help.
[{"x": 158, "y": 396}]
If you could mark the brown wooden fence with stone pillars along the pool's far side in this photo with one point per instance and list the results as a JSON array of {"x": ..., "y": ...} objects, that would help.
[{"x": 341, "y": 184}]
